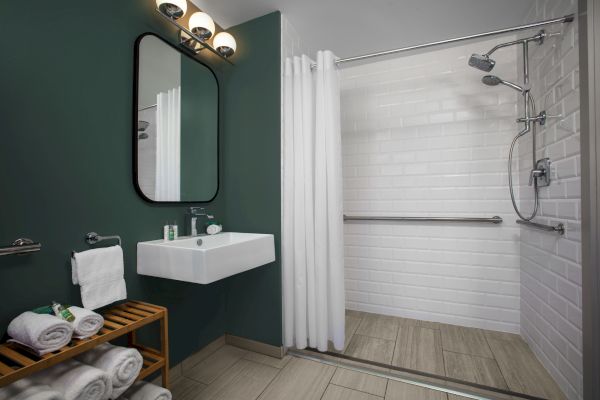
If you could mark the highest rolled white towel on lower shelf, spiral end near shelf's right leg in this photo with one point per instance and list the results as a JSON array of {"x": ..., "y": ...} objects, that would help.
[{"x": 122, "y": 364}]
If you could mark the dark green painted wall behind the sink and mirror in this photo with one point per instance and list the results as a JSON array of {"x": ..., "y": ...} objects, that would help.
[{"x": 66, "y": 162}]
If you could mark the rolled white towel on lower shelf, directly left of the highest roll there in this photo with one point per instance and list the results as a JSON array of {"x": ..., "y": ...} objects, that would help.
[{"x": 76, "y": 381}]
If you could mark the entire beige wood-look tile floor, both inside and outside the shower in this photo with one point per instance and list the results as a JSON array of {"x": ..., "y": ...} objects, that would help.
[{"x": 224, "y": 372}]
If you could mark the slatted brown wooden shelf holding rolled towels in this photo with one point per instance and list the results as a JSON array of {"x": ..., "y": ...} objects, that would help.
[{"x": 17, "y": 362}]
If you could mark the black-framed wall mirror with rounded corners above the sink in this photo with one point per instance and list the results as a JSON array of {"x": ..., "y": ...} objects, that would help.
[{"x": 176, "y": 124}]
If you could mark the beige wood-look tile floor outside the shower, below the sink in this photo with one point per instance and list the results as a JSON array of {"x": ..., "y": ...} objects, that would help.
[{"x": 230, "y": 373}]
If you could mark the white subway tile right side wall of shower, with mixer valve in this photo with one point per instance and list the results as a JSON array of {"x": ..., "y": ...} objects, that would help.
[{"x": 550, "y": 264}]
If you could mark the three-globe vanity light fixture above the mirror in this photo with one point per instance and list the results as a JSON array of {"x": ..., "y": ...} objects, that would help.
[{"x": 201, "y": 28}]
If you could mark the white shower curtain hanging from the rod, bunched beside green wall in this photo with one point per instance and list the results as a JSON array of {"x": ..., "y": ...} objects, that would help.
[{"x": 312, "y": 242}]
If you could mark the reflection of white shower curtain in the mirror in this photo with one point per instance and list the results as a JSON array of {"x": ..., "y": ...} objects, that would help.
[{"x": 168, "y": 143}]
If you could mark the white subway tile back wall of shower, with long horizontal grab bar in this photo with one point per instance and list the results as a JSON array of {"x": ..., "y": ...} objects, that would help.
[{"x": 422, "y": 136}]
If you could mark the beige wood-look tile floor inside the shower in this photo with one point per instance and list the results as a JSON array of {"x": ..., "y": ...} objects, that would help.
[{"x": 497, "y": 359}]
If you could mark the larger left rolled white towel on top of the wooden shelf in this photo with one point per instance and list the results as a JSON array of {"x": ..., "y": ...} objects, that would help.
[{"x": 43, "y": 333}]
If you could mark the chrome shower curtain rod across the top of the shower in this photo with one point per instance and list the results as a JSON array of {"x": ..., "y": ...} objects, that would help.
[{"x": 565, "y": 19}]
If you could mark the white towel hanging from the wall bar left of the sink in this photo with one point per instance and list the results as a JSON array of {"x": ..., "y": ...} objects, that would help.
[{"x": 99, "y": 273}]
